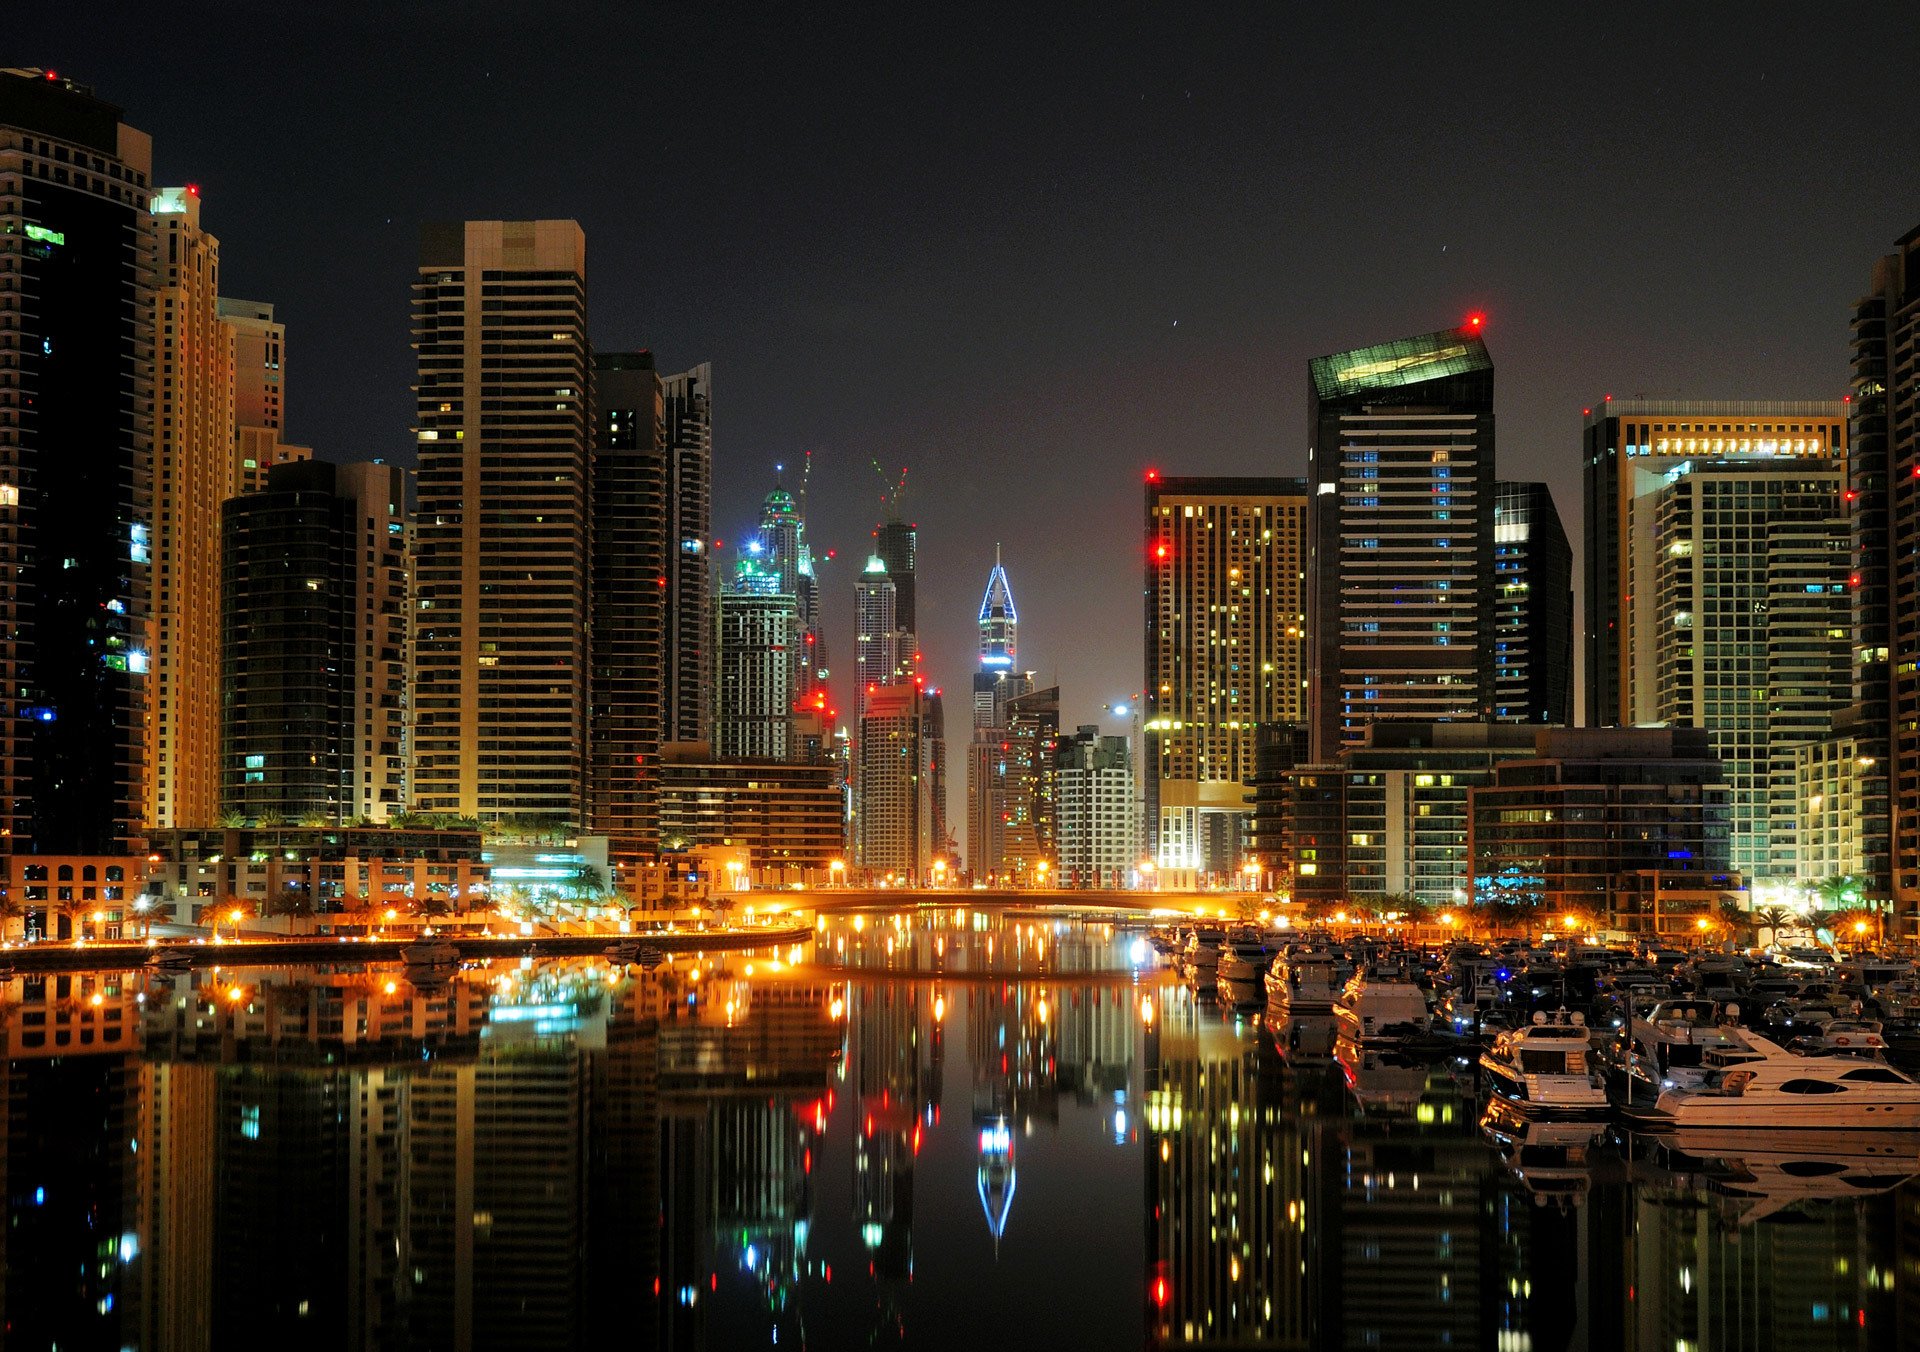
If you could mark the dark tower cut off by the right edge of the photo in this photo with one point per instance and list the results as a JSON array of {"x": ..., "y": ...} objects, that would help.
[{"x": 1884, "y": 489}]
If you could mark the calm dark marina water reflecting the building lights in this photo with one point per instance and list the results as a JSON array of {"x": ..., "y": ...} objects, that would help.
[{"x": 938, "y": 1132}]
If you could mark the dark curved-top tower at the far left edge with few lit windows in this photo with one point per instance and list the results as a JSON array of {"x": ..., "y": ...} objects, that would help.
[{"x": 78, "y": 381}]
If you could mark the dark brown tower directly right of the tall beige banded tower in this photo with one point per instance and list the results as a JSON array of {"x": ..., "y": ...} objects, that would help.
[{"x": 633, "y": 546}]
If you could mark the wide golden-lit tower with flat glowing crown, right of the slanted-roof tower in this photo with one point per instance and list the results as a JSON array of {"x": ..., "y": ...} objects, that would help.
[{"x": 1719, "y": 591}]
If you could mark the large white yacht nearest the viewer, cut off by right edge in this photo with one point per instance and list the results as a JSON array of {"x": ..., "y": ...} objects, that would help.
[{"x": 1771, "y": 1088}]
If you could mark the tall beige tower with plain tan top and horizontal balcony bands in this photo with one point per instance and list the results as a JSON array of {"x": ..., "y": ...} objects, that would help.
[{"x": 502, "y": 566}]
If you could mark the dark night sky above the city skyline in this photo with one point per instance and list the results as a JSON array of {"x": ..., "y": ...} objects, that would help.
[{"x": 1032, "y": 251}]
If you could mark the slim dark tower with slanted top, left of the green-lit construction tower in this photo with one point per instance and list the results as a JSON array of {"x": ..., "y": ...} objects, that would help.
[{"x": 690, "y": 466}]
